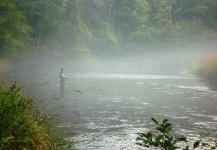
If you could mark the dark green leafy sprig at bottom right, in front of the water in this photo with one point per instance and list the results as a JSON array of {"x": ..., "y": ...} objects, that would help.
[{"x": 165, "y": 139}]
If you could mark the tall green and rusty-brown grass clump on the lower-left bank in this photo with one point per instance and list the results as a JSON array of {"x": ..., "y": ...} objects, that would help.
[{"x": 23, "y": 126}]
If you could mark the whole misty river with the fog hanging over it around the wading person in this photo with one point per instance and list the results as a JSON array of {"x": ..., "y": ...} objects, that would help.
[{"x": 105, "y": 108}]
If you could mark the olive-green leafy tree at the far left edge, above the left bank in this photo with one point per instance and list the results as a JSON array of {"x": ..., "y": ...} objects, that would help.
[{"x": 13, "y": 28}]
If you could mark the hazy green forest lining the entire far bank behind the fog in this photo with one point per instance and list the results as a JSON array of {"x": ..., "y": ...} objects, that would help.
[{"x": 53, "y": 28}]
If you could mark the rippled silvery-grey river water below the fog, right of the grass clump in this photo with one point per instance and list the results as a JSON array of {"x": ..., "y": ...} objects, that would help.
[{"x": 113, "y": 107}]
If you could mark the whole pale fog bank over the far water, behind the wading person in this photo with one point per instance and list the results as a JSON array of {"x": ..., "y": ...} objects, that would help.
[{"x": 41, "y": 76}]
